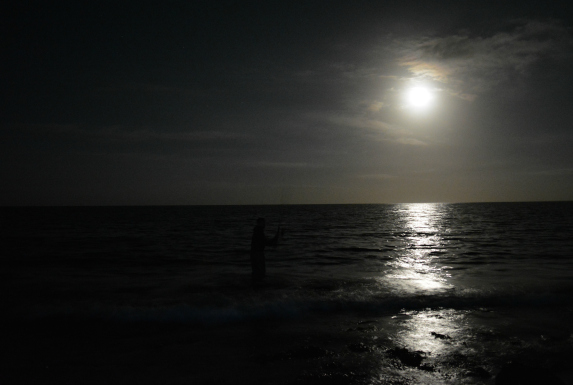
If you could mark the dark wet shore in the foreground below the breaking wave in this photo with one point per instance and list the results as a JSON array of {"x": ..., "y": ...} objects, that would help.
[{"x": 432, "y": 346}]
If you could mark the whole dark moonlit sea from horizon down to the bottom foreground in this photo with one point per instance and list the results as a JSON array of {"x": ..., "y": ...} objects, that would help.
[{"x": 467, "y": 293}]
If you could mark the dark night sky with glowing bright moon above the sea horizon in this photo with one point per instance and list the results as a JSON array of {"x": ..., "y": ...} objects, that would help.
[{"x": 265, "y": 102}]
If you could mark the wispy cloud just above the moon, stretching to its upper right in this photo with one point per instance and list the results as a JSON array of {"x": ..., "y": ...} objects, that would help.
[{"x": 470, "y": 65}]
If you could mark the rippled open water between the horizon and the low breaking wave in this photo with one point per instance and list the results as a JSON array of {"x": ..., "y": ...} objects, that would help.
[{"x": 488, "y": 252}]
